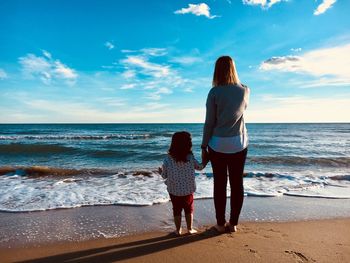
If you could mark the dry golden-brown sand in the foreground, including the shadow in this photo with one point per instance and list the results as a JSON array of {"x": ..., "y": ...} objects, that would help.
[{"x": 303, "y": 241}]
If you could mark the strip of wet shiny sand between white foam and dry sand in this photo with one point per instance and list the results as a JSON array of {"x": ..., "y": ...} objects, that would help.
[{"x": 91, "y": 223}]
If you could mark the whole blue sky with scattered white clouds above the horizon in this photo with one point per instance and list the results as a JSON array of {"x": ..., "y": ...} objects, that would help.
[{"x": 105, "y": 61}]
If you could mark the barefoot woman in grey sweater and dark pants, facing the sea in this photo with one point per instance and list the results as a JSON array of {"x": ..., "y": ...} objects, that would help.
[{"x": 225, "y": 139}]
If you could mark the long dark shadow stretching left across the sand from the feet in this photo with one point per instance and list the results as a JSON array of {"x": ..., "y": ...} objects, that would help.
[{"x": 128, "y": 250}]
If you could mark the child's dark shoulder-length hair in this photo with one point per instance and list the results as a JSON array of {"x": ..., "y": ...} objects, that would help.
[{"x": 181, "y": 145}]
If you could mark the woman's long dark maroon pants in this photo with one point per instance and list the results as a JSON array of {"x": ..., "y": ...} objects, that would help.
[{"x": 228, "y": 165}]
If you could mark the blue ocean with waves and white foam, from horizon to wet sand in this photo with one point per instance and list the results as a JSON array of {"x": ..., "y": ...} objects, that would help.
[{"x": 55, "y": 166}]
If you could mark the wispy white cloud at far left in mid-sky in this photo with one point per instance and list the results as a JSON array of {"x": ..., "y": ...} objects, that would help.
[{"x": 46, "y": 69}]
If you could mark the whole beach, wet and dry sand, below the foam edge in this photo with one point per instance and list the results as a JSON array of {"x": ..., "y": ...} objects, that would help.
[{"x": 280, "y": 232}]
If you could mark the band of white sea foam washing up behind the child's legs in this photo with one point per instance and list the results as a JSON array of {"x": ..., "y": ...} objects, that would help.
[{"x": 21, "y": 193}]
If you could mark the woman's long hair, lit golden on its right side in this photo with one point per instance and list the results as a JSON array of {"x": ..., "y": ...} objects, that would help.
[{"x": 225, "y": 72}]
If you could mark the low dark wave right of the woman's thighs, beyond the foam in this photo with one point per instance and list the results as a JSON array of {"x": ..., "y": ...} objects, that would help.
[{"x": 305, "y": 161}]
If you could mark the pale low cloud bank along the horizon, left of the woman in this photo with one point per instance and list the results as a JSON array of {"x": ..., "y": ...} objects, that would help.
[{"x": 59, "y": 111}]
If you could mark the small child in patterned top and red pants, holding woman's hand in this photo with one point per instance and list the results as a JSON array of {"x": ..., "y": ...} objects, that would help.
[{"x": 178, "y": 169}]
